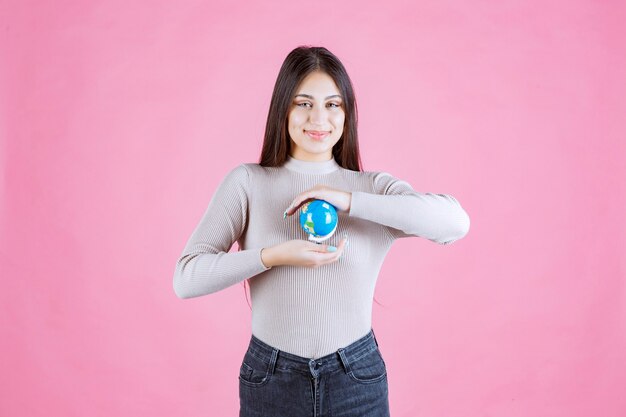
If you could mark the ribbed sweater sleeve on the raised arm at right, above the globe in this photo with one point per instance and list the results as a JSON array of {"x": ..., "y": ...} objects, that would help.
[{"x": 436, "y": 217}]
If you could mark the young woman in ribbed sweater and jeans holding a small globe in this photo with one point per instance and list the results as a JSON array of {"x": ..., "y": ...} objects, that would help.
[{"x": 312, "y": 351}]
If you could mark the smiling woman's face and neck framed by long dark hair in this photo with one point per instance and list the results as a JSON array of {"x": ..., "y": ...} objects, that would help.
[{"x": 316, "y": 118}]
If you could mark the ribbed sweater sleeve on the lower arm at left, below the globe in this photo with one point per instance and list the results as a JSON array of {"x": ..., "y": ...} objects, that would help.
[{"x": 205, "y": 265}]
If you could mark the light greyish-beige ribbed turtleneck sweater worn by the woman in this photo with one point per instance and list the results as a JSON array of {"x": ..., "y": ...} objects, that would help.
[{"x": 309, "y": 312}]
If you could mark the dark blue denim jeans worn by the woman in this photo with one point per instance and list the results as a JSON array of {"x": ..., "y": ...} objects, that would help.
[{"x": 350, "y": 382}]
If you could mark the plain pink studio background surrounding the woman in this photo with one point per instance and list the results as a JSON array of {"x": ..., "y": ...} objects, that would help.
[{"x": 119, "y": 119}]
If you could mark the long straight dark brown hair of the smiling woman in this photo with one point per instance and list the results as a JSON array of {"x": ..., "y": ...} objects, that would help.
[{"x": 297, "y": 65}]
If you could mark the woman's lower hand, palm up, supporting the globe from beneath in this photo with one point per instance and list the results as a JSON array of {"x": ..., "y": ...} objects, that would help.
[{"x": 299, "y": 252}]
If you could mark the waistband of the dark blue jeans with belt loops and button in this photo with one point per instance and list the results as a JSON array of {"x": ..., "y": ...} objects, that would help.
[{"x": 336, "y": 360}]
